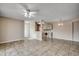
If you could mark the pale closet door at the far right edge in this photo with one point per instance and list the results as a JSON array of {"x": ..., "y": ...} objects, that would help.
[{"x": 76, "y": 31}]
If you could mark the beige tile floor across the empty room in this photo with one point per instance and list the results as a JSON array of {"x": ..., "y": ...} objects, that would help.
[{"x": 39, "y": 48}]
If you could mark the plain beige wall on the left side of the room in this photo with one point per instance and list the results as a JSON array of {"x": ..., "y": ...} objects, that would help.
[{"x": 11, "y": 30}]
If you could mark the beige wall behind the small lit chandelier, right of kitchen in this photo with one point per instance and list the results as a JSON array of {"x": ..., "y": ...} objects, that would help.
[{"x": 64, "y": 32}]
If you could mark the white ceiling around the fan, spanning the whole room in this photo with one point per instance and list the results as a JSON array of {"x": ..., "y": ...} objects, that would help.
[{"x": 47, "y": 11}]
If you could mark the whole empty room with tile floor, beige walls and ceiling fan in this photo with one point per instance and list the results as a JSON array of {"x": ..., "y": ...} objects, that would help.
[{"x": 39, "y": 29}]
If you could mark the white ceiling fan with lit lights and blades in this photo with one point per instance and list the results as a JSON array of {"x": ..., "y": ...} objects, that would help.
[{"x": 29, "y": 12}]
